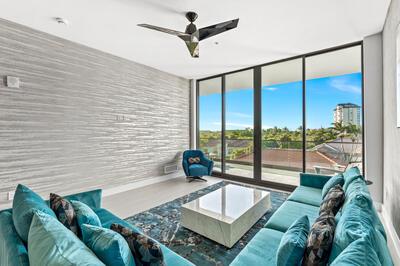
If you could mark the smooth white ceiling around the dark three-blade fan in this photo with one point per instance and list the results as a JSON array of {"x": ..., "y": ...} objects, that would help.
[{"x": 268, "y": 29}]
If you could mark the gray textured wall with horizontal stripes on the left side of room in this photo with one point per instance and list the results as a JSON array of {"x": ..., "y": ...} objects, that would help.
[{"x": 82, "y": 118}]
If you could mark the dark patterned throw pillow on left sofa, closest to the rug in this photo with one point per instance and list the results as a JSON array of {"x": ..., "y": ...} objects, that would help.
[{"x": 146, "y": 251}]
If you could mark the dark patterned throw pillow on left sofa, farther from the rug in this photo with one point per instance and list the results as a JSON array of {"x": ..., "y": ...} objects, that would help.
[{"x": 64, "y": 211}]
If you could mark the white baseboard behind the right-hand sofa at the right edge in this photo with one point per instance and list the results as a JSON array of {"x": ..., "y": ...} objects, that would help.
[{"x": 392, "y": 237}]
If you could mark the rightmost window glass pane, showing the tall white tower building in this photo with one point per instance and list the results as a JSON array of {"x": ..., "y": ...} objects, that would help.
[{"x": 333, "y": 101}]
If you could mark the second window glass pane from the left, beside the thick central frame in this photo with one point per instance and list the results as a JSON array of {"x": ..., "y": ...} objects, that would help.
[{"x": 239, "y": 98}]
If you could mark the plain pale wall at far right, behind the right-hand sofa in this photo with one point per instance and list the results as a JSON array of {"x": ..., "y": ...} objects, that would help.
[{"x": 391, "y": 134}]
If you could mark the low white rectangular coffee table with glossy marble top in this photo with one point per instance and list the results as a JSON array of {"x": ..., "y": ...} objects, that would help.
[{"x": 226, "y": 214}]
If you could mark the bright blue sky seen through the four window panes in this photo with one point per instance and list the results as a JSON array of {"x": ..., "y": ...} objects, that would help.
[{"x": 282, "y": 104}]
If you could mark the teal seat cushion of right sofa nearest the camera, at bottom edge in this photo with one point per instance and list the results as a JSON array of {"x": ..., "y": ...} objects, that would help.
[{"x": 261, "y": 250}]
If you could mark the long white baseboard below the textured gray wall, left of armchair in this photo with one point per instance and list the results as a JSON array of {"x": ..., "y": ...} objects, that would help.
[{"x": 141, "y": 183}]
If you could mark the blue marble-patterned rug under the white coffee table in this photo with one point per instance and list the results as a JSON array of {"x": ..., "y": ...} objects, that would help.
[{"x": 163, "y": 224}]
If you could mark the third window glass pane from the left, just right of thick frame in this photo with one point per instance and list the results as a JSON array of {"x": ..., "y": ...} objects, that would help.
[{"x": 282, "y": 105}]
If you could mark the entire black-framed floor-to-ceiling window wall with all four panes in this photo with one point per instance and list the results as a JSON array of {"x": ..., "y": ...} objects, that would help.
[{"x": 273, "y": 121}]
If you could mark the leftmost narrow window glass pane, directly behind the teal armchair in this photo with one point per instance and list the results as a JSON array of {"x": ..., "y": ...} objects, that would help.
[{"x": 210, "y": 120}]
